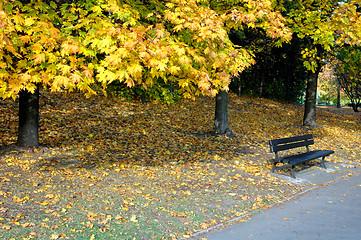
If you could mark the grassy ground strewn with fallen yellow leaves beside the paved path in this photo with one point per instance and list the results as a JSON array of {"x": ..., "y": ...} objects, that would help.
[{"x": 110, "y": 169}]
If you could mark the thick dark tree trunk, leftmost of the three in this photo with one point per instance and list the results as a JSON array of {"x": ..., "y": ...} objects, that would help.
[{"x": 28, "y": 132}]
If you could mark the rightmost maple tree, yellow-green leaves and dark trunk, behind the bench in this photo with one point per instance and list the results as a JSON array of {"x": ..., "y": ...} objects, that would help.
[{"x": 325, "y": 26}]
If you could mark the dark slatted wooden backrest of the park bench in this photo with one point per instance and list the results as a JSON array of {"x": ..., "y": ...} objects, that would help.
[{"x": 281, "y": 144}]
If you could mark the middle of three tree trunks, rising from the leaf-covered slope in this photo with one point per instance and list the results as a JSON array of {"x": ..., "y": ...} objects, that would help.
[{"x": 221, "y": 125}]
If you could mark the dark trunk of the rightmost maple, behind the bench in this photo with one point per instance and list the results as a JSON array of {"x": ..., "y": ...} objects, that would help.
[{"x": 309, "y": 118}]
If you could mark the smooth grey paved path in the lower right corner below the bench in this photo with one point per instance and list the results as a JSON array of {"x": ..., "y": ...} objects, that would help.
[{"x": 331, "y": 212}]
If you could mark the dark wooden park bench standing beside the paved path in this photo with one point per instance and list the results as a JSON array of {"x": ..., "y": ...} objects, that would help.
[{"x": 283, "y": 144}]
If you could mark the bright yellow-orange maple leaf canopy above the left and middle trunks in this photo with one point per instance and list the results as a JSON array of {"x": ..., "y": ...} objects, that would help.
[{"x": 73, "y": 45}]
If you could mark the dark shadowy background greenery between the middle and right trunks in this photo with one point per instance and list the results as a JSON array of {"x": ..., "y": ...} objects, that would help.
[{"x": 278, "y": 72}]
